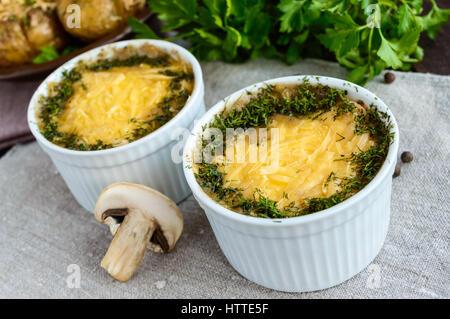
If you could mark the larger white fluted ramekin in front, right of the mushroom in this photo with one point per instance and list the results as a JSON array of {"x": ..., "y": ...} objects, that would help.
[{"x": 310, "y": 252}]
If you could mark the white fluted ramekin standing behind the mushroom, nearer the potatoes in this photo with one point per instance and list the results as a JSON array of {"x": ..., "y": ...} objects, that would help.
[{"x": 146, "y": 161}]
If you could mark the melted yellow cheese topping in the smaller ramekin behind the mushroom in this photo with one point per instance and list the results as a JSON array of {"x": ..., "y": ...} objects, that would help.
[{"x": 107, "y": 105}]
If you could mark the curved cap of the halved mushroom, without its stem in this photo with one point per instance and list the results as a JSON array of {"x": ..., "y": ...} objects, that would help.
[{"x": 127, "y": 198}]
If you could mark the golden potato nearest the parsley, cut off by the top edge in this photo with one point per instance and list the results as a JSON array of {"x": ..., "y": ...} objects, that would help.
[{"x": 96, "y": 17}]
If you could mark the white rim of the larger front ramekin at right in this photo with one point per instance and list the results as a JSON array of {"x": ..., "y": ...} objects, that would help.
[{"x": 215, "y": 207}]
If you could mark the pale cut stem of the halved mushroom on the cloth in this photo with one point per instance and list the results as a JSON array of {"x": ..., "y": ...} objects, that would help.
[{"x": 128, "y": 247}]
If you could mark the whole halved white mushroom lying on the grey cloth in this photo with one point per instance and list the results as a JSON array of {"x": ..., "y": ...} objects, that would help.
[{"x": 139, "y": 217}]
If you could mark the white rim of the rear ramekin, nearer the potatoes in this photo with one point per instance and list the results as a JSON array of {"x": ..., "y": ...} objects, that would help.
[{"x": 165, "y": 129}]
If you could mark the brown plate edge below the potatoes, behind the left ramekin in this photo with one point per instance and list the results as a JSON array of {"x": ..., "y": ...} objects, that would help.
[{"x": 34, "y": 69}]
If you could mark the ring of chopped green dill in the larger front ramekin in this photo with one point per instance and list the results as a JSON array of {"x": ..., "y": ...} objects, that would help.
[{"x": 307, "y": 100}]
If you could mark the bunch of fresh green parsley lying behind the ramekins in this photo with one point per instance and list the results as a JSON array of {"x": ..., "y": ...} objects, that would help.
[{"x": 364, "y": 36}]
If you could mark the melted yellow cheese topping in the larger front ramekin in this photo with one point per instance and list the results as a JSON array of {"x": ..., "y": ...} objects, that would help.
[{"x": 308, "y": 152}]
